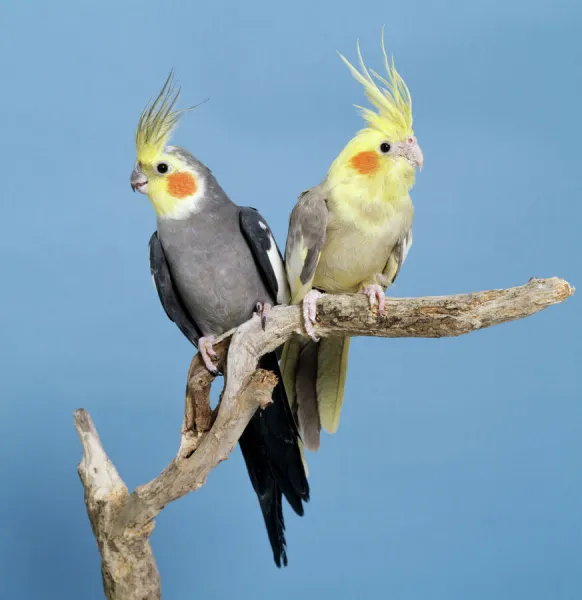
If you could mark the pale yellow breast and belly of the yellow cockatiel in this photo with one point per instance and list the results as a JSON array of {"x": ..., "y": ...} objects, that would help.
[{"x": 360, "y": 238}]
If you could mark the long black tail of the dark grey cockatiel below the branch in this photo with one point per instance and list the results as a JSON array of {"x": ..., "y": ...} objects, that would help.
[{"x": 270, "y": 447}]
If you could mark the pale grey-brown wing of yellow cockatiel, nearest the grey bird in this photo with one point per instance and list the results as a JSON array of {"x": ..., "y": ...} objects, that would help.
[{"x": 305, "y": 241}]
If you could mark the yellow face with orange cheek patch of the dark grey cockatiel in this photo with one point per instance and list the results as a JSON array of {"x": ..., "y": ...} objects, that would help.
[{"x": 169, "y": 182}]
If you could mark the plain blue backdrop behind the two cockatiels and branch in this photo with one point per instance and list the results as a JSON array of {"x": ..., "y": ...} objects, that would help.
[{"x": 457, "y": 469}]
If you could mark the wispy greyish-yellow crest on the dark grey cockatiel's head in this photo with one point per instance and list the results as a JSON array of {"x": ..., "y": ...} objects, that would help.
[{"x": 157, "y": 122}]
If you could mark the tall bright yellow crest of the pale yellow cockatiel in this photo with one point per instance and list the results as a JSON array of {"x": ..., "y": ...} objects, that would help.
[{"x": 393, "y": 102}]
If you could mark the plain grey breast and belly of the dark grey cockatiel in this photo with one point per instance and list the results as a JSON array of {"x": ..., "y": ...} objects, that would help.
[{"x": 213, "y": 269}]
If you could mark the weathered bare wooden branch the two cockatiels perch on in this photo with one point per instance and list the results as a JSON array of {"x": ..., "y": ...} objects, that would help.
[{"x": 122, "y": 522}]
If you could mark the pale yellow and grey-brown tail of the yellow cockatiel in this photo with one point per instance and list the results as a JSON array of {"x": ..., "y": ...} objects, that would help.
[{"x": 314, "y": 376}]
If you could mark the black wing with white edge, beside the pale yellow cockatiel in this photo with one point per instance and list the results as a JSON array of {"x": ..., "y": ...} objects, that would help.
[{"x": 269, "y": 261}]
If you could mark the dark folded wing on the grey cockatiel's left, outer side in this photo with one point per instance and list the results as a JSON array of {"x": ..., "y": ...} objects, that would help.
[{"x": 171, "y": 302}]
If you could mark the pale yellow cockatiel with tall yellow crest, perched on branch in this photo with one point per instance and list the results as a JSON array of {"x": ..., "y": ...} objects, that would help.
[{"x": 349, "y": 234}]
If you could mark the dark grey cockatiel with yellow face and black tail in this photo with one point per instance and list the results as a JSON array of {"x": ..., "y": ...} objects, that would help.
[{"x": 214, "y": 264}]
